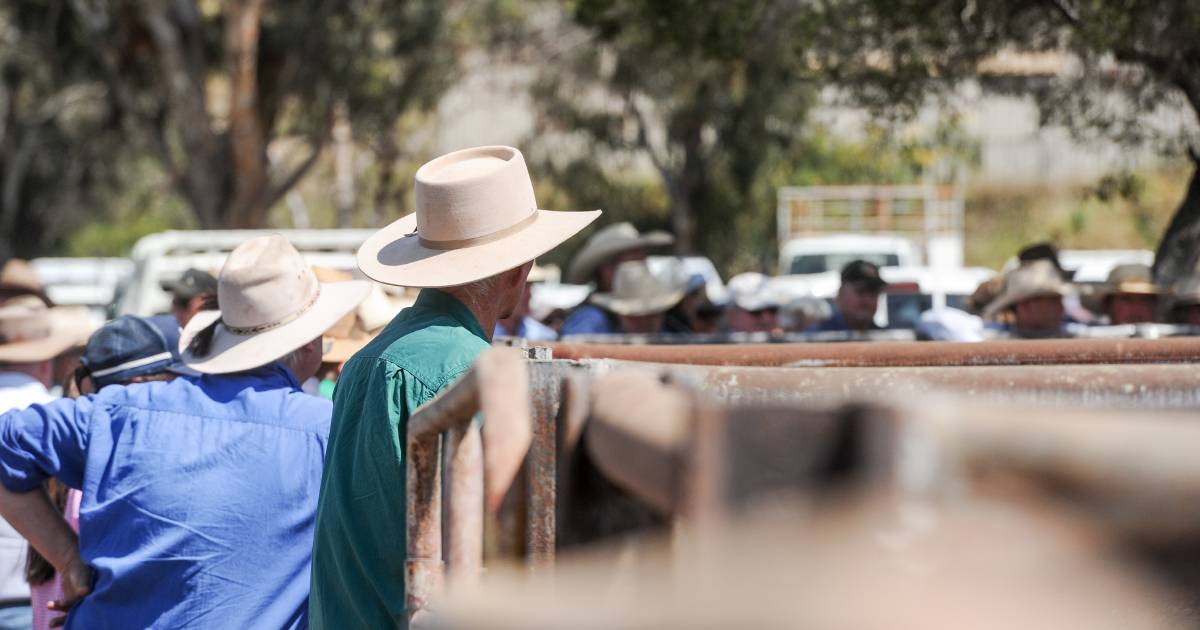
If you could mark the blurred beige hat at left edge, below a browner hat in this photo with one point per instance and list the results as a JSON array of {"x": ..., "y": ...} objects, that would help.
[{"x": 31, "y": 332}]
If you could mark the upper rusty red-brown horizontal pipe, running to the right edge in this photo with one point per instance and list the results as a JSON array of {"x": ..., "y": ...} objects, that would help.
[{"x": 855, "y": 355}]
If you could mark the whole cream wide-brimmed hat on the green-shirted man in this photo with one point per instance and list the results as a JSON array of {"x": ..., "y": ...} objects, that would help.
[{"x": 476, "y": 218}]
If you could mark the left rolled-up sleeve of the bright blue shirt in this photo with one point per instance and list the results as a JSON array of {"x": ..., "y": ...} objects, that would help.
[{"x": 45, "y": 441}]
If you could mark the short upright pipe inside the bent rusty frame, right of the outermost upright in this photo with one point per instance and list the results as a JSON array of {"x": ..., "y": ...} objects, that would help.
[{"x": 465, "y": 514}]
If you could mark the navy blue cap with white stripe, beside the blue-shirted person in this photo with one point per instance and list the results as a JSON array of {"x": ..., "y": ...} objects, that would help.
[{"x": 133, "y": 346}]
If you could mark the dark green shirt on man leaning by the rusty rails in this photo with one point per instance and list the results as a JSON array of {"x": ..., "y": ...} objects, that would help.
[{"x": 358, "y": 560}]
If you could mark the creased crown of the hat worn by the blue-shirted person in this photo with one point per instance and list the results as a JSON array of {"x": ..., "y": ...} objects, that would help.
[{"x": 265, "y": 283}]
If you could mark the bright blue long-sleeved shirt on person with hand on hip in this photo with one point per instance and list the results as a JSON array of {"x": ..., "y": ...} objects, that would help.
[{"x": 199, "y": 496}]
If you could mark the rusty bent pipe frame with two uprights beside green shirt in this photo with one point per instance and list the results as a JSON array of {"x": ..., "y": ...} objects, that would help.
[{"x": 481, "y": 466}]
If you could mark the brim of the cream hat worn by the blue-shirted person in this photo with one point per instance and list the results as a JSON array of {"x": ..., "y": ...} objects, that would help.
[{"x": 238, "y": 353}]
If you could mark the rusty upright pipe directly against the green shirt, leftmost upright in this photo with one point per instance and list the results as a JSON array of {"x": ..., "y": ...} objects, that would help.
[{"x": 424, "y": 567}]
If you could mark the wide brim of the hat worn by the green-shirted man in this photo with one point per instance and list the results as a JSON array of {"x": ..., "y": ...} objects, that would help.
[{"x": 397, "y": 256}]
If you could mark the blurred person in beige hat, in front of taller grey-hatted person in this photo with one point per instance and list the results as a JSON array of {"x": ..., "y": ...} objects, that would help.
[{"x": 639, "y": 301}]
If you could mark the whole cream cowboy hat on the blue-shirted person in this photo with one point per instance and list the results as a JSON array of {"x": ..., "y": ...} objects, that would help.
[{"x": 272, "y": 304}]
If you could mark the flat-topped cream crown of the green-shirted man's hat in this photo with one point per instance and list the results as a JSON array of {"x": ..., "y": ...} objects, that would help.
[{"x": 473, "y": 194}]
